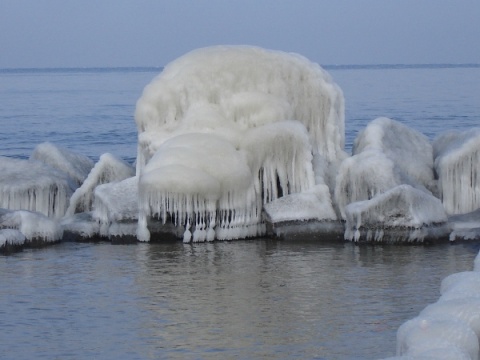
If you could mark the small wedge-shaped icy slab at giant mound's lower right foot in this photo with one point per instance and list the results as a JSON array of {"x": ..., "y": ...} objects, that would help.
[{"x": 313, "y": 204}]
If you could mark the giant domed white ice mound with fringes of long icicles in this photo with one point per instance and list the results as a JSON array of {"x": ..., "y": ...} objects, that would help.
[{"x": 260, "y": 114}]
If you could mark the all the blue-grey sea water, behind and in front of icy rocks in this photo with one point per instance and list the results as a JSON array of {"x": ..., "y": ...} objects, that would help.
[{"x": 242, "y": 299}]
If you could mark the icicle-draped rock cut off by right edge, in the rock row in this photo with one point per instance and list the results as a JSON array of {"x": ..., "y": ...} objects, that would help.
[{"x": 457, "y": 159}]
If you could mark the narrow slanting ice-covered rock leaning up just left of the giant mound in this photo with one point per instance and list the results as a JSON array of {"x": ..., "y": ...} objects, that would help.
[{"x": 109, "y": 168}]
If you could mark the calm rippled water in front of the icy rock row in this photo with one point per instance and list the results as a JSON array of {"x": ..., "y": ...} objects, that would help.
[{"x": 243, "y": 299}]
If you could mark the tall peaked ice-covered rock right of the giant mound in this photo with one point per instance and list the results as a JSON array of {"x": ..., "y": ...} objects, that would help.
[{"x": 385, "y": 154}]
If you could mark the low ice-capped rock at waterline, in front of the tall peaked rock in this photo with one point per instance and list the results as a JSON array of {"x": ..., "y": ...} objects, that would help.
[{"x": 402, "y": 207}]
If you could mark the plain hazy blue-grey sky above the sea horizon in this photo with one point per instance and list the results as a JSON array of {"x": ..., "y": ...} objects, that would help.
[{"x": 86, "y": 33}]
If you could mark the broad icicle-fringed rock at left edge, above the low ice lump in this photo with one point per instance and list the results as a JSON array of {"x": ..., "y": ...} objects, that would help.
[{"x": 35, "y": 186}]
